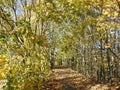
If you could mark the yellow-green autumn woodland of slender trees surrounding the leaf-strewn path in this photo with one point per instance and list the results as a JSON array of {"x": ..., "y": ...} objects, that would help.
[{"x": 38, "y": 35}]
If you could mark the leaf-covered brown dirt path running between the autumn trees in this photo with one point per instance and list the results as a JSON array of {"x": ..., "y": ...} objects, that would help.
[{"x": 68, "y": 79}]
